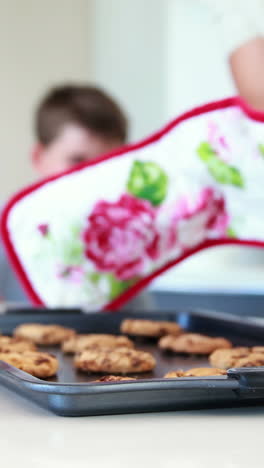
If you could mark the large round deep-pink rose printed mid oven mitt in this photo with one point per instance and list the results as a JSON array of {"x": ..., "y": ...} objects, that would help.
[{"x": 121, "y": 236}]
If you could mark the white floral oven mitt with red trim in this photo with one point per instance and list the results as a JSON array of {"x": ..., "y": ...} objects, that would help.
[{"x": 98, "y": 234}]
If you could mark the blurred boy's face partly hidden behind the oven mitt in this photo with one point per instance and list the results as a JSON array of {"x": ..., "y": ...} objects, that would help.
[{"x": 74, "y": 145}]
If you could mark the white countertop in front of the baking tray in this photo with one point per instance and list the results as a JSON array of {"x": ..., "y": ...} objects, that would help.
[{"x": 34, "y": 438}]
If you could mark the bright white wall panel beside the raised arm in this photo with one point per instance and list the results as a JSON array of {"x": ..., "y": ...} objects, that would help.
[{"x": 197, "y": 68}]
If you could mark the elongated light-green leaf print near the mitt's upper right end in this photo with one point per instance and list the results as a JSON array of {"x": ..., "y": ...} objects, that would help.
[{"x": 219, "y": 170}]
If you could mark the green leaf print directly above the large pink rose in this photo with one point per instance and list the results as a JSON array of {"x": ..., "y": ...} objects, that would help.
[{"x": 148, "y": 181}]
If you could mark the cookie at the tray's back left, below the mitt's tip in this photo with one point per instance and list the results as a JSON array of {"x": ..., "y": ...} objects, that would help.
[{"x": 44, "y": 334}]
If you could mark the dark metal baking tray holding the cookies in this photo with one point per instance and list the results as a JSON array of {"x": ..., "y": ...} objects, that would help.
[{"x": 75, "y": 394}]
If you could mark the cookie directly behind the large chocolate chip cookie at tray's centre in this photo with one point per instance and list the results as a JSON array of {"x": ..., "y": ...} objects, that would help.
[{"x": 79, "y": 343}]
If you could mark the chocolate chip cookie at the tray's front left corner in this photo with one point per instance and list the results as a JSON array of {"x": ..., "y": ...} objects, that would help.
[{"x": 42, "y": 365}]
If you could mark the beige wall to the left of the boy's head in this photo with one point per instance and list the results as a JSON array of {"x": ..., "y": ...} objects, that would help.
[{"x": 41, "y": 43}]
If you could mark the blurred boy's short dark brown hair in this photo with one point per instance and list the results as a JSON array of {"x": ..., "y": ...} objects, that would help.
[{"x": 87, "y": 106}]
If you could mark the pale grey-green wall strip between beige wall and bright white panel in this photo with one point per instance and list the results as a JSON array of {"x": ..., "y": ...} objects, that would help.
[{"x": 128, "y": 43}]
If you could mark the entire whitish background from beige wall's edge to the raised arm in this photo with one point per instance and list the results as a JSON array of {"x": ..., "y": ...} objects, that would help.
[{"x": 159, "y": 57}]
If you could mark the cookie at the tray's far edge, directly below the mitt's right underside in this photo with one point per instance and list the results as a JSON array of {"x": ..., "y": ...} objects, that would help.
[{"x": 149, "y": 328}]
